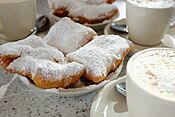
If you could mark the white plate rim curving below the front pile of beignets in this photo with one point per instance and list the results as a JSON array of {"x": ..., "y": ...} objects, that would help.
[{"x": 74, "y": 91}]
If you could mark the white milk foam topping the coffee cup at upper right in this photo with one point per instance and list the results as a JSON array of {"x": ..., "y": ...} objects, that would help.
[{"x": 154, "y": 3}]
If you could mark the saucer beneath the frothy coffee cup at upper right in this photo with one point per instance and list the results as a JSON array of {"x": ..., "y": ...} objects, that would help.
[{"x": 167, "y": 40}]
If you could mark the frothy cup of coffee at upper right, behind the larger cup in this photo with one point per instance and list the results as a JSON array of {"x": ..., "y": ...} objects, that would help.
[{"x": 148, "y": 20}]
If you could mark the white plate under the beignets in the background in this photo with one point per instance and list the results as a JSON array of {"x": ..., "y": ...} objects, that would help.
[{"x": 121, "y": 7}]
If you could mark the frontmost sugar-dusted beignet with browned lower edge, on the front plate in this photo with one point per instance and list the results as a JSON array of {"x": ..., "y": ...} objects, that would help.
[{"x": 45, "y": 73}]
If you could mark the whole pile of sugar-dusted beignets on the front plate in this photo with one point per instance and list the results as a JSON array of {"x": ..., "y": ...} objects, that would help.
[{"x": 49, "y": 67}]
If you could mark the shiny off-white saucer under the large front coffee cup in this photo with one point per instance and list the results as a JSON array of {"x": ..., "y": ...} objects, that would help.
[{"x": 109, "y": 102}]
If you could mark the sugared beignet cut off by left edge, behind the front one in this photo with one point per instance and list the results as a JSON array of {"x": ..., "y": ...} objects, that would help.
[{"x": 13, "y": 50}]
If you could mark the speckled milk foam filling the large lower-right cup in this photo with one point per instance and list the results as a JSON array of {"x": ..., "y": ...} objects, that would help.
[{"x": 155, "y": 71}]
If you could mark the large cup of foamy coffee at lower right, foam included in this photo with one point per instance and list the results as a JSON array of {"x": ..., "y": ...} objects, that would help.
[{"x": 150, "y": 83}]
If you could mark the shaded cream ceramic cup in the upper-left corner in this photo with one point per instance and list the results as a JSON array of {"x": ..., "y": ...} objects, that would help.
[{"x": 17, "y": 18}]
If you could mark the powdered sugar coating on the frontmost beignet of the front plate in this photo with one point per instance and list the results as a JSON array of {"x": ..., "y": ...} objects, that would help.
[{"x": 51, "y": 71}]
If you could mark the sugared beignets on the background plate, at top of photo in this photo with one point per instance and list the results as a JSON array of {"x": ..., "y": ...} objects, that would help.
[{"x": 83, "y": 12}]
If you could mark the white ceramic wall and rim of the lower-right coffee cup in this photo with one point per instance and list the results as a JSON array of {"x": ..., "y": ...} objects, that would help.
[{"x": 142, "y": 100}]
